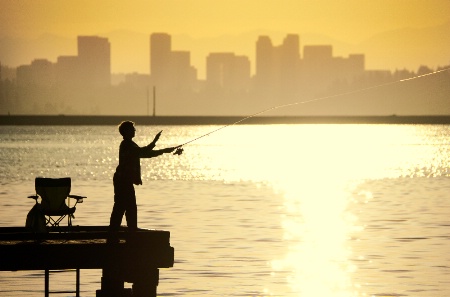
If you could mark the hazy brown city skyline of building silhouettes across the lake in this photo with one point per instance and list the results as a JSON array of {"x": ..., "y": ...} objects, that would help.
[{"x": 168, "y": 67}]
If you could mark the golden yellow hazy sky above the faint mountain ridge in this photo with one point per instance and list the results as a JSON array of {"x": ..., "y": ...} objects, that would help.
[{"x": 349, "y": 21}]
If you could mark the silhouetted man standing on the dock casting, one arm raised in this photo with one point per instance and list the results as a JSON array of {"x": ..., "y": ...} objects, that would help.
[{"x": 128, "y": 174}]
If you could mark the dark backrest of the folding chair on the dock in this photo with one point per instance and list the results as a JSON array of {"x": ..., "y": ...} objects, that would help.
[{"x": 53, "y": 192}]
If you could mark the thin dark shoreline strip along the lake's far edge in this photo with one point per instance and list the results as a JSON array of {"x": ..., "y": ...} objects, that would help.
[{"x": 70, "y": 120}]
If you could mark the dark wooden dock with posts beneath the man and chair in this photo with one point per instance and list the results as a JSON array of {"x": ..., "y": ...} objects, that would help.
[{"x": 135, "y": 258}]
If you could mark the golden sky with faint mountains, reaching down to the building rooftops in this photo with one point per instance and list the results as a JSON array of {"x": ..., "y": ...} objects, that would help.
[{"x": 394, "y": 34}]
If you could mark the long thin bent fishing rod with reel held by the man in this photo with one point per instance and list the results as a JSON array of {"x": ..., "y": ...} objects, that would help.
[{"x": 179, "y": 149}]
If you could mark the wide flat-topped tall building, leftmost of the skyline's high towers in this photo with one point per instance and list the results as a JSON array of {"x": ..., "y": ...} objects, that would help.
[{"x": 94, "y": 56}]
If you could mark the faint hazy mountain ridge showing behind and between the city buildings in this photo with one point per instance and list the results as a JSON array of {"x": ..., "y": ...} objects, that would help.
[{"x": 14, "y": 53}]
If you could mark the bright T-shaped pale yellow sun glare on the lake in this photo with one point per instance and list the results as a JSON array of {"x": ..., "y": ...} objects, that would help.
[{"x": 317, "y": 169}]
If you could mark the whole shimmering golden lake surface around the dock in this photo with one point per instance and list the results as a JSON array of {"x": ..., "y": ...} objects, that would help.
[{"x": 253, "y": 210}]
